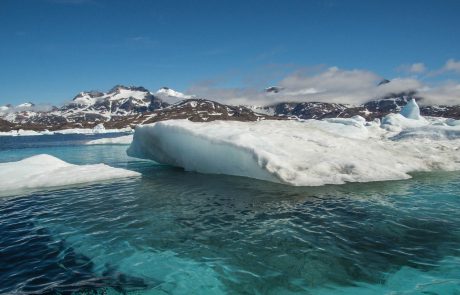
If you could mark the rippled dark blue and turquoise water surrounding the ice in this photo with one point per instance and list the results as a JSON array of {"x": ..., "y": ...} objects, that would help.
[{"x": 173, "y": 232}]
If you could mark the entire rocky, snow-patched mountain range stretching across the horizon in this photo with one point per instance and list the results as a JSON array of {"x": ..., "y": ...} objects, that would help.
[{"x": 124, "y": 106}]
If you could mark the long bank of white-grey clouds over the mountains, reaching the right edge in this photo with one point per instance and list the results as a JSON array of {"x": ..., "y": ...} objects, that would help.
[{"x": 336, "y": 85}]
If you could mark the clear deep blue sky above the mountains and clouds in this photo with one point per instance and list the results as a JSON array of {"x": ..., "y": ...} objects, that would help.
[{"x": 52, "y": 49}]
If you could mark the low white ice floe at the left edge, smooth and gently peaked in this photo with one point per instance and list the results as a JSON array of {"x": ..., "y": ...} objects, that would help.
[{"x": 43, "y": 171}]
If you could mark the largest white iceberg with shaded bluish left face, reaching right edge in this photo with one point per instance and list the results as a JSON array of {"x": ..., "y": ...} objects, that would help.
[{"x": 304, "y": 153}]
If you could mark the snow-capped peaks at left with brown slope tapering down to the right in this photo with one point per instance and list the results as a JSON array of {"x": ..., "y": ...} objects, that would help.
[{"x": 124, "y": 106}]
